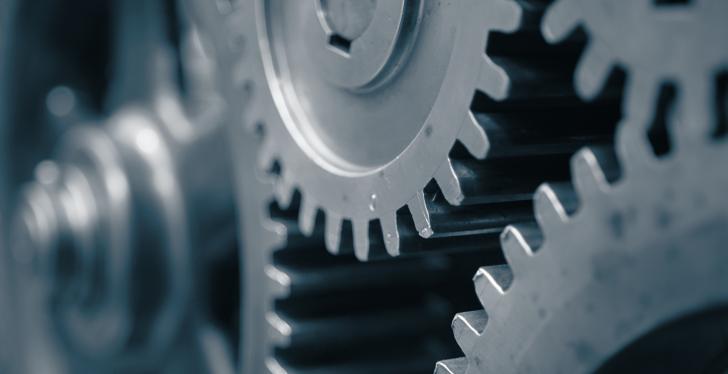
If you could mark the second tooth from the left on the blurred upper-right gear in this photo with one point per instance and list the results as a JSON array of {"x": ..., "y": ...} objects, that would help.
[{"x": 593, "y": 70}]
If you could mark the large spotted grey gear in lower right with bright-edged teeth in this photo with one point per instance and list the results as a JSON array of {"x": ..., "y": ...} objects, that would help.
[{"x": 618, "y": 273}]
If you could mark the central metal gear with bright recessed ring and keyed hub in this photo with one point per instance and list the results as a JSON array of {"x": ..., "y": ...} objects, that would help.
[{"x": 331, "y": 81}]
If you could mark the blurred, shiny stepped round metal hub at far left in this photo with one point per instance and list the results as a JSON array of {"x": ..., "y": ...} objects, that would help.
[{"x": 78, "y": 225}]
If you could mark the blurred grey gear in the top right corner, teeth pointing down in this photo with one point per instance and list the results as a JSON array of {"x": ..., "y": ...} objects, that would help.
[{"x": 657, "y": 42}]
